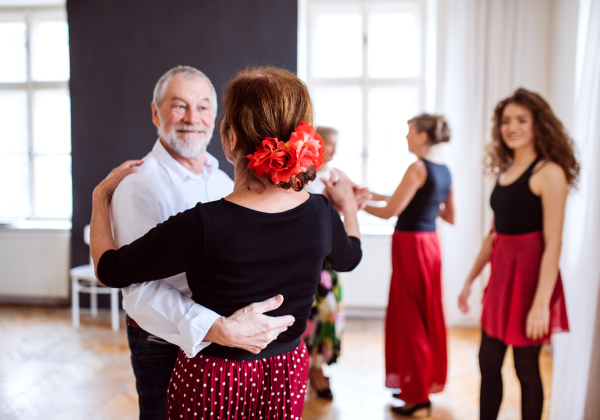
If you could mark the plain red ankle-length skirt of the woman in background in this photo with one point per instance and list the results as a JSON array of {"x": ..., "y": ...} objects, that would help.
[{"x": 416, "y": 358}]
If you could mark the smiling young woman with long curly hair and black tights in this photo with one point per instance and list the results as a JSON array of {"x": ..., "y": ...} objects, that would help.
[{"x": 532, "y": 156}]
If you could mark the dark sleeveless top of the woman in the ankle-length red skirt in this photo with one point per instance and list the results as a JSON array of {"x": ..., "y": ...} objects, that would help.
[{"x": 423, "y": 209}]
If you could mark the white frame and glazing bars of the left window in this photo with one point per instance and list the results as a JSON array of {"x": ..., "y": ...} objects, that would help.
[{"x": 30, "y": 87}]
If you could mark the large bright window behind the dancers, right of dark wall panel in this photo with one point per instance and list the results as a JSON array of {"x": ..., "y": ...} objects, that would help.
[{"x": 363, "y": 62}]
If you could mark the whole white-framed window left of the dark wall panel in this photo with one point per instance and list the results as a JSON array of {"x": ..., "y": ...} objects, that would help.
[{"x": 35, "y": 112}]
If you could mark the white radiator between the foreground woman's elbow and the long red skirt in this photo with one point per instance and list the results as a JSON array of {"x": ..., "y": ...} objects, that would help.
[{"x": 367, "y": 287}]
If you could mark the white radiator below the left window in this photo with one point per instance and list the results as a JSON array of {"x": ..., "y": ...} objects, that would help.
[{"x": 34, "y": 263}]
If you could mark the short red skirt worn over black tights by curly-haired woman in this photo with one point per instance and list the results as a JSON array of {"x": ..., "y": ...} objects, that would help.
[{"x": 516, "y": 261}]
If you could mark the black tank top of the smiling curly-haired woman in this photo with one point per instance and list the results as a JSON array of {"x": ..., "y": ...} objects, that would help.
[{"x": 516, "y": 209}]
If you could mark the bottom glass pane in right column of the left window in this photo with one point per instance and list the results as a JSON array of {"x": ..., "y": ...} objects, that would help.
[{"x": 53, "y": 197}]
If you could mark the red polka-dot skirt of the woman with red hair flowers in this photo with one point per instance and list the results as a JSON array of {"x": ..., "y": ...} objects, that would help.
[{"x": 206, "y": 387}]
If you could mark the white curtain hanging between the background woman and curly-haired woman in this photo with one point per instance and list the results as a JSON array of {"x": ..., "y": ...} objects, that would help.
[{"x": 485, "y": 50}]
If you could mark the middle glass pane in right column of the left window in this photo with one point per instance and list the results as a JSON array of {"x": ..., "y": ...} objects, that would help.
[{"x": 52, "y": 121}]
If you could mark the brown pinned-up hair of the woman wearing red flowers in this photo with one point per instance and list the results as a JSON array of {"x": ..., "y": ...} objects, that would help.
[{"x": 267, "y": 102}]
